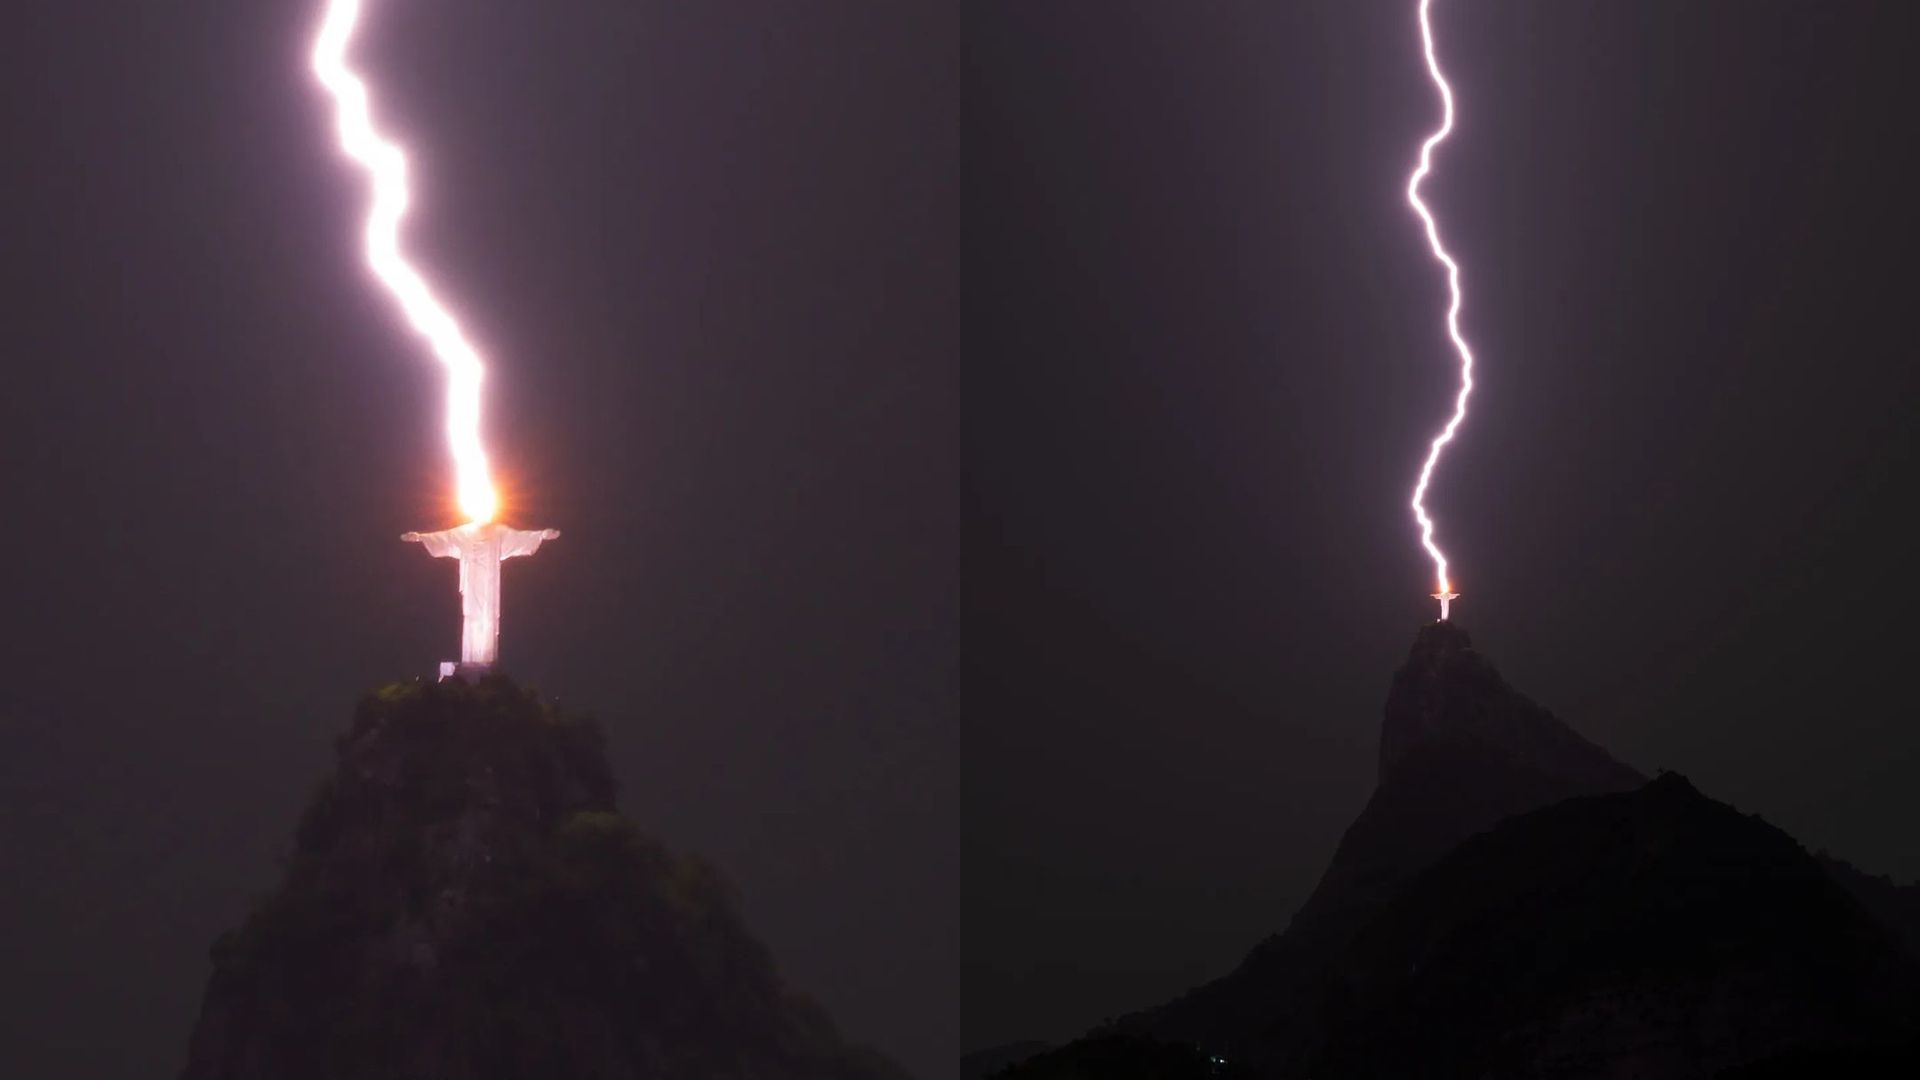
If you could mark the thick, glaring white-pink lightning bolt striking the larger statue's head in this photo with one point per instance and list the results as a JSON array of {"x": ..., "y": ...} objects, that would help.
[{"x": 387, "y": 168}]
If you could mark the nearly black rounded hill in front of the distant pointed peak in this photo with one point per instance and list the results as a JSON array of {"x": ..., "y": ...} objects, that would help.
[{"x": 1654, "y": 933}]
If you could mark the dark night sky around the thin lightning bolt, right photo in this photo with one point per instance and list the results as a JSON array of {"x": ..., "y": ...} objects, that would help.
[{"x": 1203, "y": 353}]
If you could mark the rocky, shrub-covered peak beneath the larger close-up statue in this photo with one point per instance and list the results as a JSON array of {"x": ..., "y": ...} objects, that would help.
[{"x": 466, "y": 904}]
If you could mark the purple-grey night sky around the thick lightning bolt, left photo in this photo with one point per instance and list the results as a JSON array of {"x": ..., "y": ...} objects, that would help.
[{"x": 711, "y": 251}]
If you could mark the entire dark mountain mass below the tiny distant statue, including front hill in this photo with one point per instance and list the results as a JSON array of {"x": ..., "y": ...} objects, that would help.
[{"x": 1510, "y": 887}]
